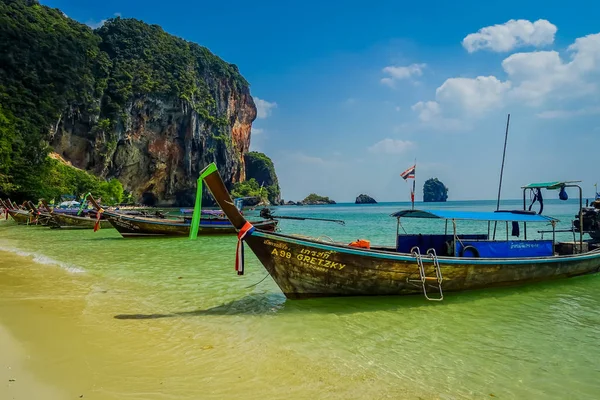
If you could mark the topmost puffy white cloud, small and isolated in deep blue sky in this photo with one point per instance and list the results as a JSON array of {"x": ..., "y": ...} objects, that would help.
[{"x": 510, "y": 35}]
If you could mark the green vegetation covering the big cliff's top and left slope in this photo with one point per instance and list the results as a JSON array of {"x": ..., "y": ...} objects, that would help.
[{"x": 55, "y": 68}]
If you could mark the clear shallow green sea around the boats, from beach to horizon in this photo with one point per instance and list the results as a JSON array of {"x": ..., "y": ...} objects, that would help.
[{"x": 168, "y": 318}]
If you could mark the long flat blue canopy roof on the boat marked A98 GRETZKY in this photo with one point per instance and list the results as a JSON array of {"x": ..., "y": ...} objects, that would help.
[{"x": 499, "y": 216}]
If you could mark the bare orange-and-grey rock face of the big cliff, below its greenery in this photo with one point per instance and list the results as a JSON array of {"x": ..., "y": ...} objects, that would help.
[{"x": 159, "y": 150}]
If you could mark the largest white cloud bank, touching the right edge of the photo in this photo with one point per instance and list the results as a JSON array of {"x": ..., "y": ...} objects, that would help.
[{"x": 533, "y": 78}]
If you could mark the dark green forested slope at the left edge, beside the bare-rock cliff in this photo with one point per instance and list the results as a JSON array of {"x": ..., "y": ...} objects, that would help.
[{"x": 47, "y": 63}]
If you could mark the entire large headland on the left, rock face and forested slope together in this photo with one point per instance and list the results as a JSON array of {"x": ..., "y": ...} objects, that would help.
[{"x": 126, "y": 101}]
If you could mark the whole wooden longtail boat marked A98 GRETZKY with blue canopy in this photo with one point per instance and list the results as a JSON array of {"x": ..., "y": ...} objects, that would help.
[{"x": 305, "y": 268}]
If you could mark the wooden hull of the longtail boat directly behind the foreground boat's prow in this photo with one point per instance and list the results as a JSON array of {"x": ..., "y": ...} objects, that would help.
[{"x": 129, "y": 226}]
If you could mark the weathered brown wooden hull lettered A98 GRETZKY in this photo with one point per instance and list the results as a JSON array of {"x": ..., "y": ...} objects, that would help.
[{"x": 306, "y": 268}]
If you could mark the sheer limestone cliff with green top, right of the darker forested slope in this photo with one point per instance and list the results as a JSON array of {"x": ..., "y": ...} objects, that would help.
[{"x": 155, "y": 125}]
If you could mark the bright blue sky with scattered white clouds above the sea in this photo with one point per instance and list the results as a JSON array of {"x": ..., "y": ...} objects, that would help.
[{"x": 350, "y": 93}]
